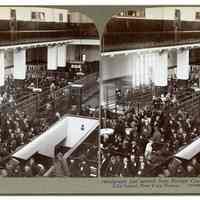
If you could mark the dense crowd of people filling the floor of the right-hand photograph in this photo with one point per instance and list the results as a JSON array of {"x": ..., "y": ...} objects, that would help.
[{"x": 144, "y": 139}]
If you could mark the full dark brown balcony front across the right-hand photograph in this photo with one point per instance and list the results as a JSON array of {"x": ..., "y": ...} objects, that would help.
[{"x": 126, "y": 34}]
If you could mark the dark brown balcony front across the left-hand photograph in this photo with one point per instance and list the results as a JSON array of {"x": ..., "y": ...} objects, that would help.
[{"x": 46, "y": 32}]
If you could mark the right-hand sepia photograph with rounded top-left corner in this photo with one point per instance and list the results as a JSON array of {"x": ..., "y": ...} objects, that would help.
[{"x": 150, "y": 93}]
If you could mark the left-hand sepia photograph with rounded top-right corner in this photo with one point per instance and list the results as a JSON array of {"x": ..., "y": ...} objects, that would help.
[{"x": 49, "y": 93}]
